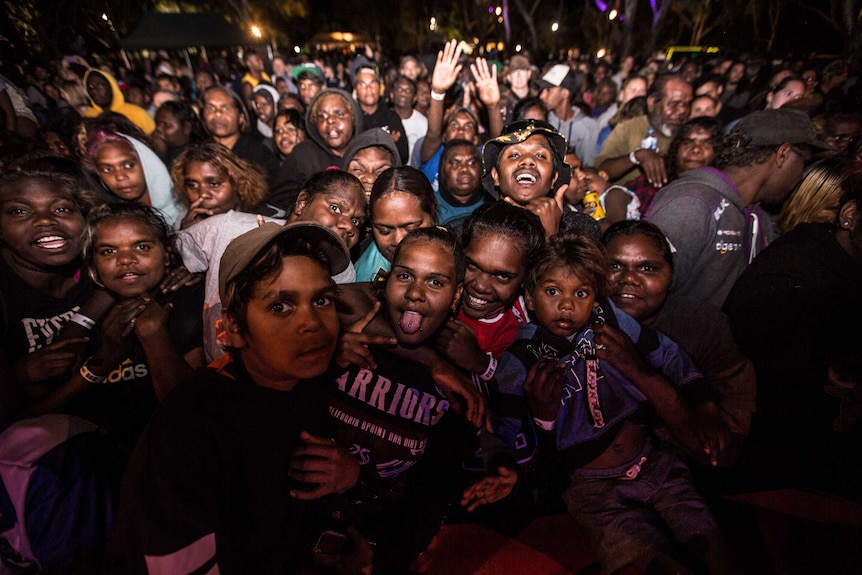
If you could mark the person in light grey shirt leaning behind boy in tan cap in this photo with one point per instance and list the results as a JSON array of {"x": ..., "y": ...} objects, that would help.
[{"x": 334, "y": 199}]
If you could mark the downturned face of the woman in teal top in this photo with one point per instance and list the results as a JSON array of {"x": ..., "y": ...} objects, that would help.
[{"x": 394, "y": 216}]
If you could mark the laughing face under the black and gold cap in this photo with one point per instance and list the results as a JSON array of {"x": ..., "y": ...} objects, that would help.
[{"x": 525, "y": 171}]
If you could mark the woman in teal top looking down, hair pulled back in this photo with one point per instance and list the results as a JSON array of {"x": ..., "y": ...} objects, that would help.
[{"x": 402, "y": 200}]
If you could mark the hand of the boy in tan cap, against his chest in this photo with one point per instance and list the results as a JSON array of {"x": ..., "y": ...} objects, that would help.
[{"x": 322, "y": 462}]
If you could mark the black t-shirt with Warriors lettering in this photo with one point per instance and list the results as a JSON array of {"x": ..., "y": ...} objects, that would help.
[{"x": 409, "y": 447}]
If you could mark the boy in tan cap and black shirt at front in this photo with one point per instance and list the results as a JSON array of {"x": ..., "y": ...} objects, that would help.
[{"x": 222, "y": 479}]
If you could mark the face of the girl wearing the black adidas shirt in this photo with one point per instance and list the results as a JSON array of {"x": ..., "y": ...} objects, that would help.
[{"x": 130, "y": 258}]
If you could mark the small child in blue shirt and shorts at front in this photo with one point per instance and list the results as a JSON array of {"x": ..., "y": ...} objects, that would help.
[{"x": 589, "y": 394}]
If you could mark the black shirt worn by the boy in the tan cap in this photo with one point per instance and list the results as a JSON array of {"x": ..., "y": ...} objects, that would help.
[{"x": 209, "y": 478}]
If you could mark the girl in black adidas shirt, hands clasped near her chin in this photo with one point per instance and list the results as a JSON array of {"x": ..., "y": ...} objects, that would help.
[{"x": 149, "y": 340}]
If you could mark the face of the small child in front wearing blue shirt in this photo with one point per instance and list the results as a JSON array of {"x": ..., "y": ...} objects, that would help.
[{"x": 562, "y": 302}]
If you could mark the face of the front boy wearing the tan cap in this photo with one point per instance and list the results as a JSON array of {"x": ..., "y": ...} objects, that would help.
[{"x": 292, "y": 326}]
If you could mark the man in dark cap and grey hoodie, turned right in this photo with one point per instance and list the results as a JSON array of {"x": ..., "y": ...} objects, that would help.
[{"x": 712, "y": 216}]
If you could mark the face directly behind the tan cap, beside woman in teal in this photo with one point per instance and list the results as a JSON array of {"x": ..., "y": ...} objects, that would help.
[{"x": 341, "y": 209}]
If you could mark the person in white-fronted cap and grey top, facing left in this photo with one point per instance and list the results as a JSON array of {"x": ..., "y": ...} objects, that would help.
[{"x": 561, "y": 86}]
